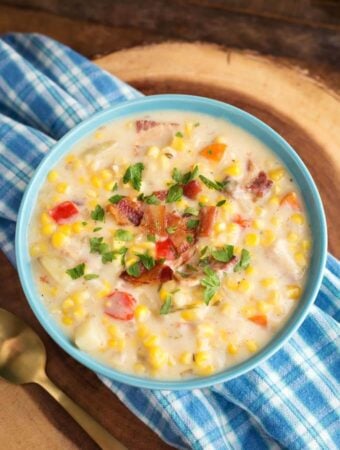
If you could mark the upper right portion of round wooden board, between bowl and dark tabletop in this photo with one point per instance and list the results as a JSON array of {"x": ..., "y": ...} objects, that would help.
[{"x": 303, "y": 111}]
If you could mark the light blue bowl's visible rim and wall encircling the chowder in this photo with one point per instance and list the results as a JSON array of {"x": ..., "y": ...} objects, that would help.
[{"x": 199, "y": 105}]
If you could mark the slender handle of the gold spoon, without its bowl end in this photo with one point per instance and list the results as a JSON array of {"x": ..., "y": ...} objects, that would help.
[{"x": 102, "y": 437}]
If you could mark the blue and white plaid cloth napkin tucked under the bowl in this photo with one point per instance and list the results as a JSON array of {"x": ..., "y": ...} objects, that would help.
[{"x": 289, "y": 401}]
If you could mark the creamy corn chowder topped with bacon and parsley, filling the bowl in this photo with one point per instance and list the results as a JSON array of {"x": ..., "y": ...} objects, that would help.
[{"x": 170, "y": 246}]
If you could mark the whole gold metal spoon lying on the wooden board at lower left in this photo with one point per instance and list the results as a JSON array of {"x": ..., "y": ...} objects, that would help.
[{"x": 23, "y": 359}]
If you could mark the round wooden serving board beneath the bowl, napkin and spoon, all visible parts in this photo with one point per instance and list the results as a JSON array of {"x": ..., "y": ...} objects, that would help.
[{"x": 304, "y": 112}]
